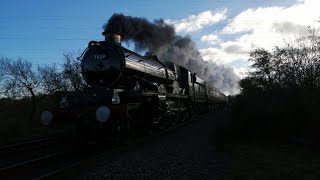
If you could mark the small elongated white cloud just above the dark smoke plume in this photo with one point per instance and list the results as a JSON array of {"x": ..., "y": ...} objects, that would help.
[{"x": 198, "y": 22}]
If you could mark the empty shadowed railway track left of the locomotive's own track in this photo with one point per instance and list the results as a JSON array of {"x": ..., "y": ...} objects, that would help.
[{"x": 16, "y": 157}]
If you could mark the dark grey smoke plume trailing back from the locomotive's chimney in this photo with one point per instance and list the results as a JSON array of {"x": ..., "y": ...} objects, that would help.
[{"x": 161, "y": 39}]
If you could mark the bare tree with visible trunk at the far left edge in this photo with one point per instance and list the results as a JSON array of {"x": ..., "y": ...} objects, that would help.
[{"x": 19, "y": 79}]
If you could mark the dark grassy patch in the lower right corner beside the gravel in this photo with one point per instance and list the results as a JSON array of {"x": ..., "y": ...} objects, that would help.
[{"x": 272, "y": 161}]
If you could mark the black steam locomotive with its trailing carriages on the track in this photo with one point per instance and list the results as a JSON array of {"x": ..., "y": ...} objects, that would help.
[{"x": 131, "y": 94}]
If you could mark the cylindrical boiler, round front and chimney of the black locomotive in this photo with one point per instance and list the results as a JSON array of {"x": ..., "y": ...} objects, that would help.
[{"x": 109, "y": 65}]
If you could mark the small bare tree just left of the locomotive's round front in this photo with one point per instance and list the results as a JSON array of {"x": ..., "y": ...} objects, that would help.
[{"x": 72, "y": 72}]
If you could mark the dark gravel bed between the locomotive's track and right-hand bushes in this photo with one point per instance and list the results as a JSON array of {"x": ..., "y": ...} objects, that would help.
[{"x": 187, "y": 152}]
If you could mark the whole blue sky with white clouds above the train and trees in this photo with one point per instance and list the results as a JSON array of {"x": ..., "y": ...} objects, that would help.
[{"x": 41, "y": 30}]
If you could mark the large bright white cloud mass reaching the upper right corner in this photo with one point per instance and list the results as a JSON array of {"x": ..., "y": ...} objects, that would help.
[{"x": 260, "y": 28}]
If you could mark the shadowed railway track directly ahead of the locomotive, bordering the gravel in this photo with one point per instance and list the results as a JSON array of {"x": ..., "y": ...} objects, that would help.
[{"x": 51, "y": 163}]
